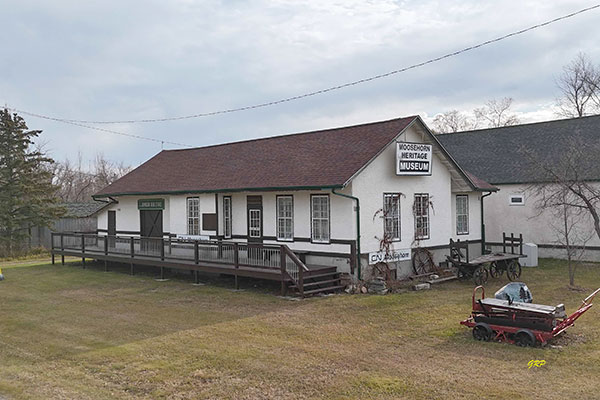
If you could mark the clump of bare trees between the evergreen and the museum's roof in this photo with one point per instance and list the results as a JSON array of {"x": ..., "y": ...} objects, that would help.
[{"x": 77, "y": 183}]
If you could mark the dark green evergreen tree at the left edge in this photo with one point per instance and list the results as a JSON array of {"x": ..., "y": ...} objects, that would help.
[{"x": 27, "y": 194}]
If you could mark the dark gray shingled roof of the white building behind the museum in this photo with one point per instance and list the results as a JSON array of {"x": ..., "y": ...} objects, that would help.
[{"x": 510, "y": 154}]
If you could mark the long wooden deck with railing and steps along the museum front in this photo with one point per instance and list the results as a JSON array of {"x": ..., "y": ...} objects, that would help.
[{"x": 271, "y": 262}]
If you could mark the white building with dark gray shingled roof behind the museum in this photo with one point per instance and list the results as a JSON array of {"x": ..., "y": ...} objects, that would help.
[{"x": 515, "y": 159}]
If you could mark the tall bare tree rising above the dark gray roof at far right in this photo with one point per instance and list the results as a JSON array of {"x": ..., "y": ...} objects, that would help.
[{"x": 579, "y": 85}]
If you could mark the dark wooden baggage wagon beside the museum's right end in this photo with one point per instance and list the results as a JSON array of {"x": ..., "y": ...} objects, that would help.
[{"x": 493, "y": 264}]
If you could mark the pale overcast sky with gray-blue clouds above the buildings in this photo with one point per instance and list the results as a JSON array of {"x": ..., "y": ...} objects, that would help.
[{"x": 114, "y": 60}]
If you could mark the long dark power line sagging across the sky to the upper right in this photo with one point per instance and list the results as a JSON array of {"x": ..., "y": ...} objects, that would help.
[{"x": 326, "y": 90}]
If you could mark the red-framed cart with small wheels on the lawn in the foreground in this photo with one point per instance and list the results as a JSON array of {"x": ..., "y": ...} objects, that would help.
[{"x": 524, "y": 324}]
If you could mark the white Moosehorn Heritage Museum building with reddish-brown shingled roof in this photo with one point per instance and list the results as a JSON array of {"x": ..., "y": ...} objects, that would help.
[{"x": 330, "y": 196}]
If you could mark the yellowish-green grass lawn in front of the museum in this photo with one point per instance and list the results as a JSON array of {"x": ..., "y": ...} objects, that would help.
[{"x": 87, "y": 334}]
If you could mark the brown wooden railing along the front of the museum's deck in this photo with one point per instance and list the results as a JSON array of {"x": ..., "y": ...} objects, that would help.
[{"x": 237, "y": 254}]
